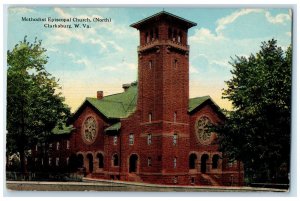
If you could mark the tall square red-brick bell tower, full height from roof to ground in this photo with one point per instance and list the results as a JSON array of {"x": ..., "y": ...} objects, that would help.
[{"x": 163, "y": 94}]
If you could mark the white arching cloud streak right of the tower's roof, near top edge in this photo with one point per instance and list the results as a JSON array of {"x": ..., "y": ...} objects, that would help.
[{"x": 223, "y": 22}]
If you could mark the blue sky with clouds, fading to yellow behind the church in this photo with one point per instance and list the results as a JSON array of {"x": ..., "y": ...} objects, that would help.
[{"x": 104, "y": 56}]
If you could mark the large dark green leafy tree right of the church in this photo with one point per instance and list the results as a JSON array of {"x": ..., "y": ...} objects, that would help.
[{"x": 257, "y": 132}]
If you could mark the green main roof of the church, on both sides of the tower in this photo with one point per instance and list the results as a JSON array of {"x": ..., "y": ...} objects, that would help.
[{"x": 123, "y": 104}]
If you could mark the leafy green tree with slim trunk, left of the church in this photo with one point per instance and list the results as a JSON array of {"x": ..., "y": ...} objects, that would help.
[{"x": 34, "y": 105}]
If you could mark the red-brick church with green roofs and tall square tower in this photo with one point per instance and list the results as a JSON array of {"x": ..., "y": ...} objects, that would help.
[{"x": 151, "y": 132}]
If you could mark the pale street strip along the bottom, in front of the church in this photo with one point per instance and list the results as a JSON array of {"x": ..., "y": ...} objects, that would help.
[{"x": 89, "y": 184}]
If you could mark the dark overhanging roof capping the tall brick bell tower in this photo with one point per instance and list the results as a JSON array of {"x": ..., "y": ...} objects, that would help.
[{"x": 163, "y": 15}]
